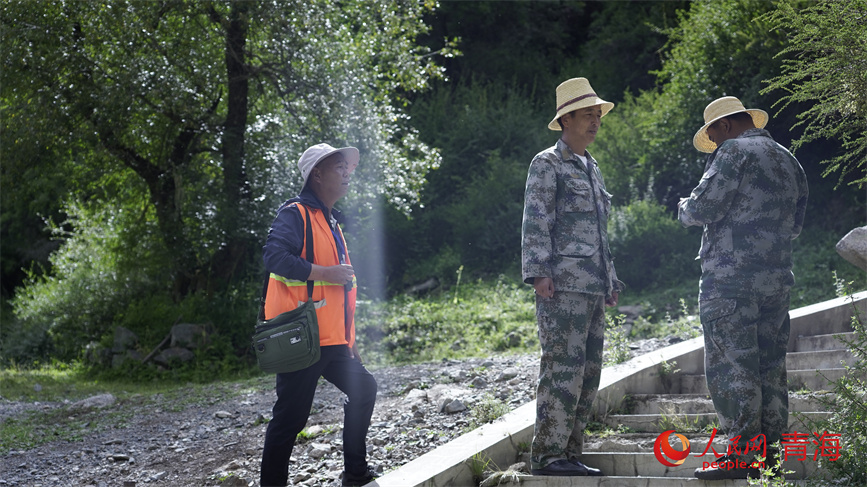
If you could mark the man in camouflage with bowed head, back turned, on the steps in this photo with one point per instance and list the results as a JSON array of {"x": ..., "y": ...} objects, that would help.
[{"x": 751, "y": 201}]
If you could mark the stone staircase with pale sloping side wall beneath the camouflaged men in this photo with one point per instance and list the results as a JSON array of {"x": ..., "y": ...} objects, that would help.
[{"x": 660, "y": 391}]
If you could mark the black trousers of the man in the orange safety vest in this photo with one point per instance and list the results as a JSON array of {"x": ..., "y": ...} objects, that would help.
[{"x": 295, "y": 392}]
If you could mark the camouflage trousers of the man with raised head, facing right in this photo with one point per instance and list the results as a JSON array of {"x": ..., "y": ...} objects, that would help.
[{"x": 571, "y": 333}]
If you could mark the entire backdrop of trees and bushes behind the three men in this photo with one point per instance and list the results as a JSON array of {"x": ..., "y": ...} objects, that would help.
[{"x": 153, "y": 140}]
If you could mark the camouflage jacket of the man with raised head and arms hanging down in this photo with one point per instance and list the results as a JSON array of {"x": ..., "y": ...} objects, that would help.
[{"x": 564, "y": 234}]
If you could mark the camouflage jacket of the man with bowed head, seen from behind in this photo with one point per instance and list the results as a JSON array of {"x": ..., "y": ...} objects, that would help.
[{"x": 751, "y": 201}]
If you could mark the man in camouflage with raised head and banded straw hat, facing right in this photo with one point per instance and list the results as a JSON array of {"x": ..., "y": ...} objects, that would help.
[{"x": 565, "y": 257}]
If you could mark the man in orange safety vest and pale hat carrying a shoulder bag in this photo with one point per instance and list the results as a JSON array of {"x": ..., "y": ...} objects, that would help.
[{"x": 326, "y": 173}]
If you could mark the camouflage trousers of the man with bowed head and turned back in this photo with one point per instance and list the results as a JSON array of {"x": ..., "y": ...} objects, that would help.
[{"x": 745, "y": 343}]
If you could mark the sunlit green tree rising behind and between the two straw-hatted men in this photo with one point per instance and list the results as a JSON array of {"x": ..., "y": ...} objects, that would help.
[{"x": 716, "y": 49}]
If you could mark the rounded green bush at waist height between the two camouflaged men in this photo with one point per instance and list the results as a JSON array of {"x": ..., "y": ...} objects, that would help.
[{"x": 650, "y": 247}]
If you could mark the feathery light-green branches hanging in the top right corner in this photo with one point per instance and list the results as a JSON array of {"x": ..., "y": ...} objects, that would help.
[{"x": 825, "y": 67}]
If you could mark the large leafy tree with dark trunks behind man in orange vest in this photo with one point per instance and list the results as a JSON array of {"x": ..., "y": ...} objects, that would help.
[{"x": 188, "y": 113}]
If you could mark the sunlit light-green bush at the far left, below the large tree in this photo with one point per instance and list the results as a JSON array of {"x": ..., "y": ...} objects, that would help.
[{"x": 111, "y": 259}]
